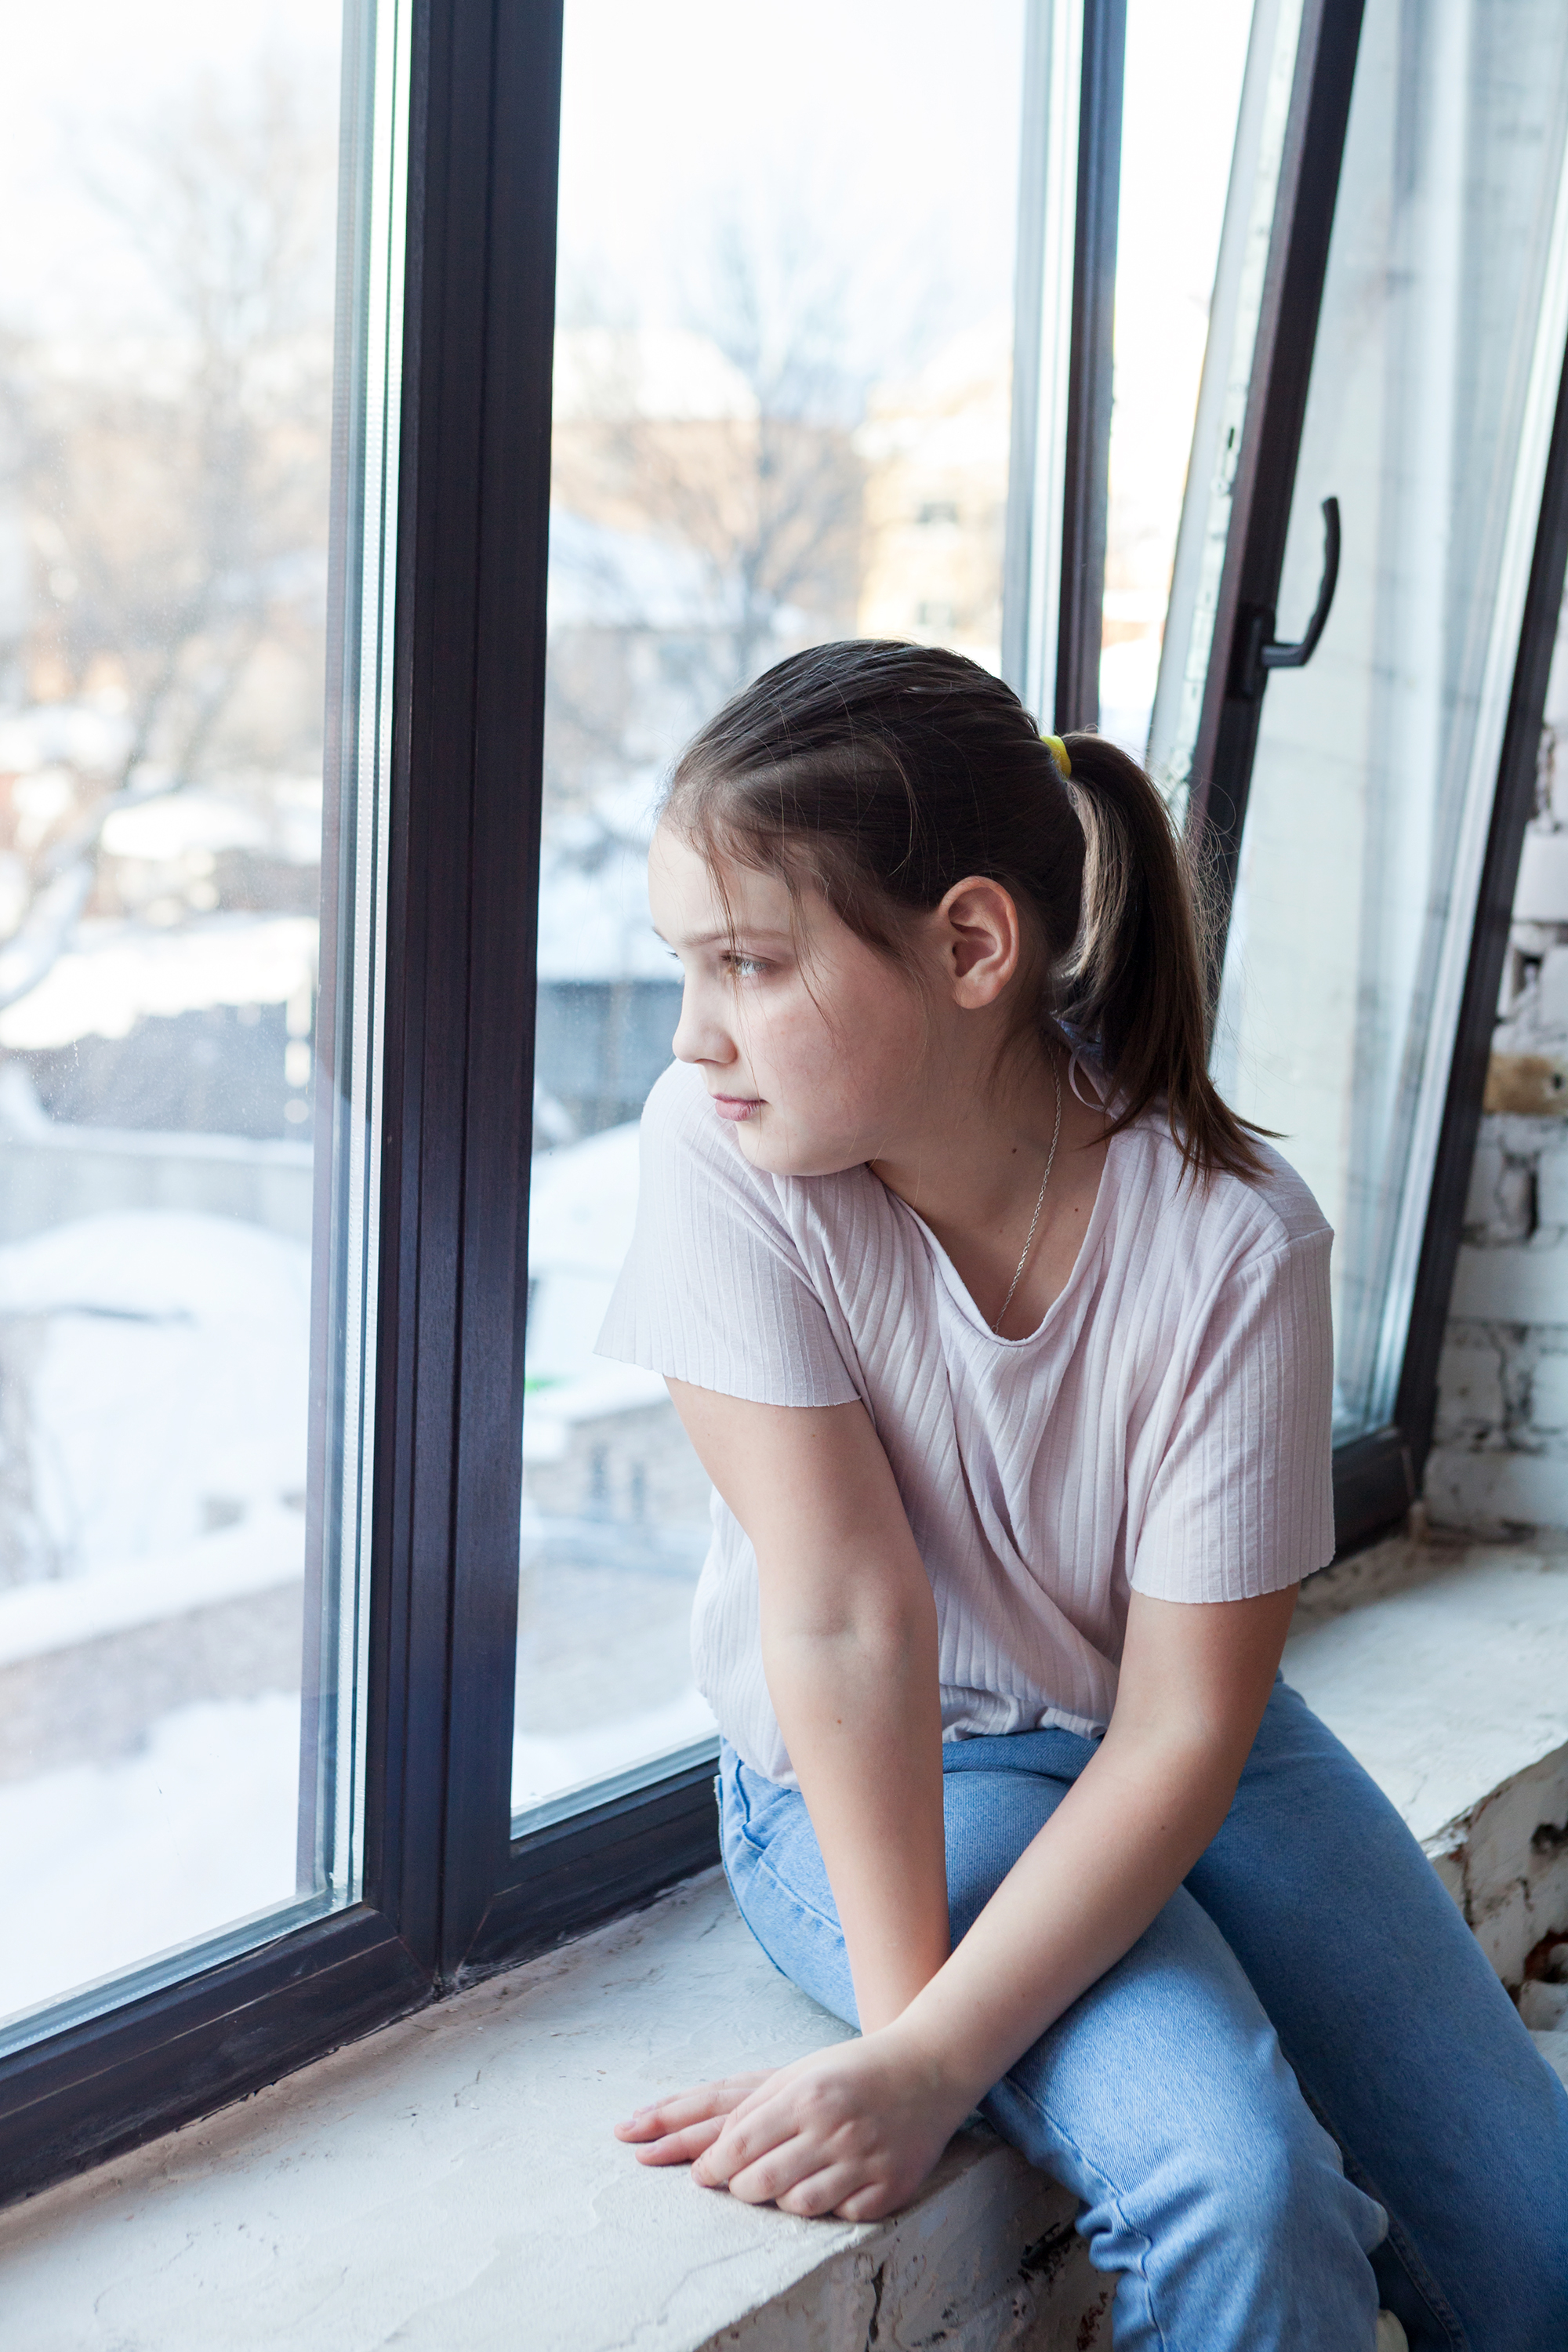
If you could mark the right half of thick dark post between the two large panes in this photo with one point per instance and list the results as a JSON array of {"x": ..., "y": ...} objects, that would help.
[{"x": 511, "y": 457}]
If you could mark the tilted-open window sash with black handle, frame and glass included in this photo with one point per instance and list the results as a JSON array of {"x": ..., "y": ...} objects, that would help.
[{"x": 1379, "y": 436}]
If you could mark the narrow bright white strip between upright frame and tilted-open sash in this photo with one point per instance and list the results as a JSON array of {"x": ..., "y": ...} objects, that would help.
[{"x": 1179, "y": 131}]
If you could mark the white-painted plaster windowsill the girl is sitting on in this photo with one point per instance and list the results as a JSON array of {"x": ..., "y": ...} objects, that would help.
[{"x": 455, "y": 2181}]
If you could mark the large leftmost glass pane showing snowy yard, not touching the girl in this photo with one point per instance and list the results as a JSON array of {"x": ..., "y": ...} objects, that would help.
[{"x": 192, "y": 573}]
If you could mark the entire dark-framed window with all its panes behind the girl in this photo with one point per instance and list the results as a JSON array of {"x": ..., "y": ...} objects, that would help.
[{"x": 366, "y": 554}]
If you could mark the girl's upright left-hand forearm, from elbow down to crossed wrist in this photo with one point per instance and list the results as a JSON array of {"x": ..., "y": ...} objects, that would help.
[{"x": 862, "y": 1720}]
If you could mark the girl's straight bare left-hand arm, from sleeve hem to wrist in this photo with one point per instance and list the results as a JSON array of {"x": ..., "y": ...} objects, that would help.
[{"x": 850, "y": 1657}]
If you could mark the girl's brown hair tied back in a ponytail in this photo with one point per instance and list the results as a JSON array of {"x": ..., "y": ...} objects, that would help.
[{"x": 887, "y": 773}]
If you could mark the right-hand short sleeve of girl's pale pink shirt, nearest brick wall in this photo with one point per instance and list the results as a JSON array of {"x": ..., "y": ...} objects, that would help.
[{"x": 1242, "y": 1497}]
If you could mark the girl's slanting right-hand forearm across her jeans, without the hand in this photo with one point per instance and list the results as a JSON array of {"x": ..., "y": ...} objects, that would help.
[{"x": 1078, "y": 1899}]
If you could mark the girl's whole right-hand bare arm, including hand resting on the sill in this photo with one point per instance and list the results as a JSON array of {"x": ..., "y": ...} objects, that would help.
[{"x": 855, "y": 2130}]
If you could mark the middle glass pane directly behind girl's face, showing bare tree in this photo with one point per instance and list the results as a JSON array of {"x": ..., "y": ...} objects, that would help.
[{"x": 782, "y": 415}]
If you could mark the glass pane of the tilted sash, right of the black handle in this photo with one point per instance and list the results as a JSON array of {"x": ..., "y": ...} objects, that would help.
[{"x": 1428, "y": 417}]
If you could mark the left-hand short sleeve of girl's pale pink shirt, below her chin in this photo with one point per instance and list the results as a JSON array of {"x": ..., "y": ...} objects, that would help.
[{"x": 713, "y": 1288}]
